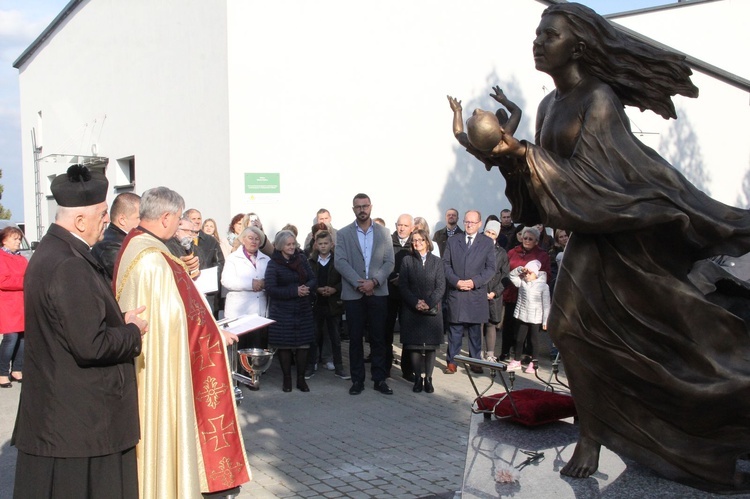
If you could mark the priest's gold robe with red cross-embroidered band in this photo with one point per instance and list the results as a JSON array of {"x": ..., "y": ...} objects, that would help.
[{"x": 190, "y": 435}]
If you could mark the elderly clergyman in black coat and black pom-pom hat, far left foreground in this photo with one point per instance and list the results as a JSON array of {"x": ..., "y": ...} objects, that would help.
[{"x": 77, "y": 423}]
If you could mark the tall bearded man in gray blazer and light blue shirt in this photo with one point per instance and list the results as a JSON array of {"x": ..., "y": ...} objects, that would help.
[{"x": 364, "y": 258}]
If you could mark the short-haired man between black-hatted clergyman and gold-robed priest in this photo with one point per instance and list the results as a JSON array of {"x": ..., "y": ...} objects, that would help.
[{"x": 123, "y": 216}]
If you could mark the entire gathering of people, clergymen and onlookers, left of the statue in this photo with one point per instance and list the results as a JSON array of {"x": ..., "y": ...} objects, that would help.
[{"x": 141, "y": 256}]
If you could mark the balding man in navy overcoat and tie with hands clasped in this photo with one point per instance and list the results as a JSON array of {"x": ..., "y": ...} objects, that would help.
[{"x": 469, "y": 261}]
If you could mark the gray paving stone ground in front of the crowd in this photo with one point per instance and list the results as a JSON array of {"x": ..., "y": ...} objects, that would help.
[{"x": 330, "y": 444}]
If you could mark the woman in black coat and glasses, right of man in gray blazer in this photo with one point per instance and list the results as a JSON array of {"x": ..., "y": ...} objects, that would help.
[{"x": 422, "y": 285}]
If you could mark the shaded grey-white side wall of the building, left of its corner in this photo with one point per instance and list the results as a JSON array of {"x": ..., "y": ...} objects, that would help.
[{"x": 137, "y": 78}]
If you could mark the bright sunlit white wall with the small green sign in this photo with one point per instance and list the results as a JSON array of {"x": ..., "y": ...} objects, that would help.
[{"x": 342, "y": 97}]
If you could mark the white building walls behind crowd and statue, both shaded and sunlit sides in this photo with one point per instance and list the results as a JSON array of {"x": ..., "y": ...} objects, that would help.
[{"x": 335, "y": 96}]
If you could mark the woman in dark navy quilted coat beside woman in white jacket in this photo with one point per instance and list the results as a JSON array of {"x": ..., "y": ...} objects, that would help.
[{"x": 289, "y": 285}]
